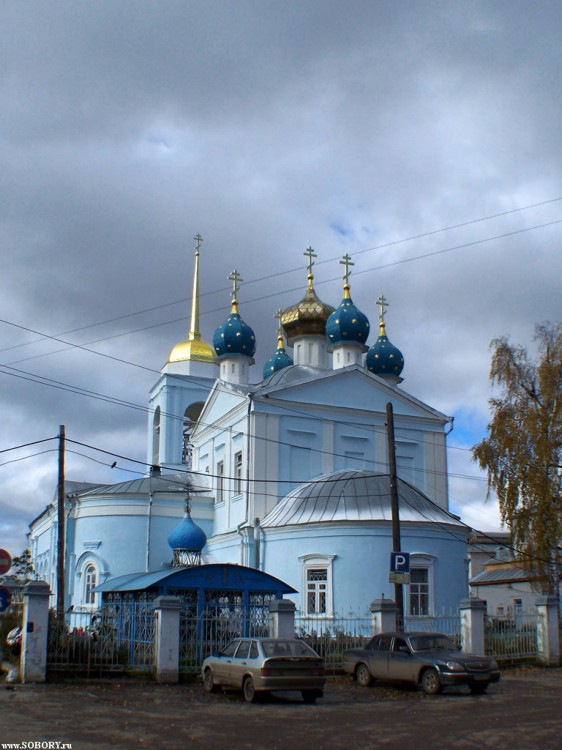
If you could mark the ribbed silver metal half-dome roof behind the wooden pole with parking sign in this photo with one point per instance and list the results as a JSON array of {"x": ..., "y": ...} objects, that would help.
[{"x": 355, "y": 496}]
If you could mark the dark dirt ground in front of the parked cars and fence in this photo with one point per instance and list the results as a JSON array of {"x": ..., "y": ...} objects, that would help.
[{"x": 522, "y": 712}]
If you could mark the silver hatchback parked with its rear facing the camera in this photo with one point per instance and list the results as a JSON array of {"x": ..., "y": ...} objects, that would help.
[{"x": 260, "y": 665}]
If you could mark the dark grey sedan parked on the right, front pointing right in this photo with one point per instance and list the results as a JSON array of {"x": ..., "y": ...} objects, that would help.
[{"x": 431, "y": 660}]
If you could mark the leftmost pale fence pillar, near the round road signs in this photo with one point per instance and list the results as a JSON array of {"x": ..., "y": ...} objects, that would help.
[{"x": 35, "y": 626}]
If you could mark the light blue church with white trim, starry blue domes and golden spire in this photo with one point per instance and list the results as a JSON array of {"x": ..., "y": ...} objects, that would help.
[{"x": 289, "y": 475}]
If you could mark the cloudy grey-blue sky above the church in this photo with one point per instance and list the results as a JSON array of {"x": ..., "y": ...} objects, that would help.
[{"x": 422, "y": 138}]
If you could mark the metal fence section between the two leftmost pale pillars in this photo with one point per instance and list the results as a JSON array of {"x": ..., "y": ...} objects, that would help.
[{"x": 114, "y": 638}]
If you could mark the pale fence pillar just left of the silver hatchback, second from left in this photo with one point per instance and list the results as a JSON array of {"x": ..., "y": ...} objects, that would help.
[{"x": 167, "y": 638}]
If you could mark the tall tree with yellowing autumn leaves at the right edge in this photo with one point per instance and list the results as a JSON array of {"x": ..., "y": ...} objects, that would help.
[{"x": 522, "y": 453}]
